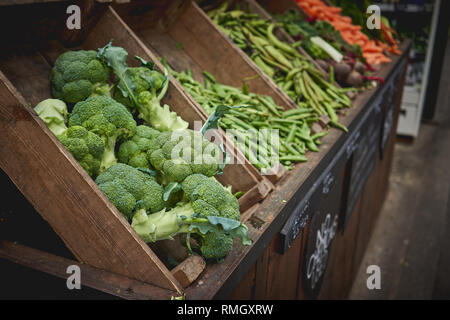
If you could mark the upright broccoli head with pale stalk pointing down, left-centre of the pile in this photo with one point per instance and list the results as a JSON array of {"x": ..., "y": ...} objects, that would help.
[{"x": 108, "y": 119}]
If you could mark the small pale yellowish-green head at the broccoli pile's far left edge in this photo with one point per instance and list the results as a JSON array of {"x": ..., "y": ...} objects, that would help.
[{"x": 54, "y": 114}]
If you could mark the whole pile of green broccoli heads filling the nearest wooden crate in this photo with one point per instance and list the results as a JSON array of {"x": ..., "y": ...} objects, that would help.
[{"x": 164, "y": 182}]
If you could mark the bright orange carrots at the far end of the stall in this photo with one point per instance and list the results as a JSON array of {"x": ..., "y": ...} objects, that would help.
[{"x": 372, "y": 50}]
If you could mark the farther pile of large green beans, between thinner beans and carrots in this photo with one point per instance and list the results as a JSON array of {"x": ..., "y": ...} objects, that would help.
[{"x": 281, "y": 61}]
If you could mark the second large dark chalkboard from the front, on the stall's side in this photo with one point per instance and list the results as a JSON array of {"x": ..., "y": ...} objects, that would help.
[{"x": 362, "y": 153}]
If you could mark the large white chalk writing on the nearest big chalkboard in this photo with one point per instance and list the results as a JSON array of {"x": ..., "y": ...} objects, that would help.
[{"x": 318, "y": 261}]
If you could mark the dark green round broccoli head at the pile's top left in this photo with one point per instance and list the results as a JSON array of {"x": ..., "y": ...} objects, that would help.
[{"x": 78, "y": 75}]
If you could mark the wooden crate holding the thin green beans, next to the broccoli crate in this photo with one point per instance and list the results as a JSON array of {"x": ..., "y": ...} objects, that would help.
[{"x": 199, "y": 46}]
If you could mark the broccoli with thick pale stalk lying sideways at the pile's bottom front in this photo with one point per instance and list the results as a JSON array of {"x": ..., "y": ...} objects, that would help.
[{"x": 212, "y": 220}]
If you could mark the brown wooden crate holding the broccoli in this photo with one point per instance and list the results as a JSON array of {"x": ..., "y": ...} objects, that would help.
[{"x": 45, "y": 172}]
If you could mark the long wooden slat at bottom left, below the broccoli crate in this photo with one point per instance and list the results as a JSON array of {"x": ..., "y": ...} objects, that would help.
[{"x": 102, "y": 280}]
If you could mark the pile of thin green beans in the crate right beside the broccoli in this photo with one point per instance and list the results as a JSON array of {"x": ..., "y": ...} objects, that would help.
[{"x": 258, "y": 112}]
